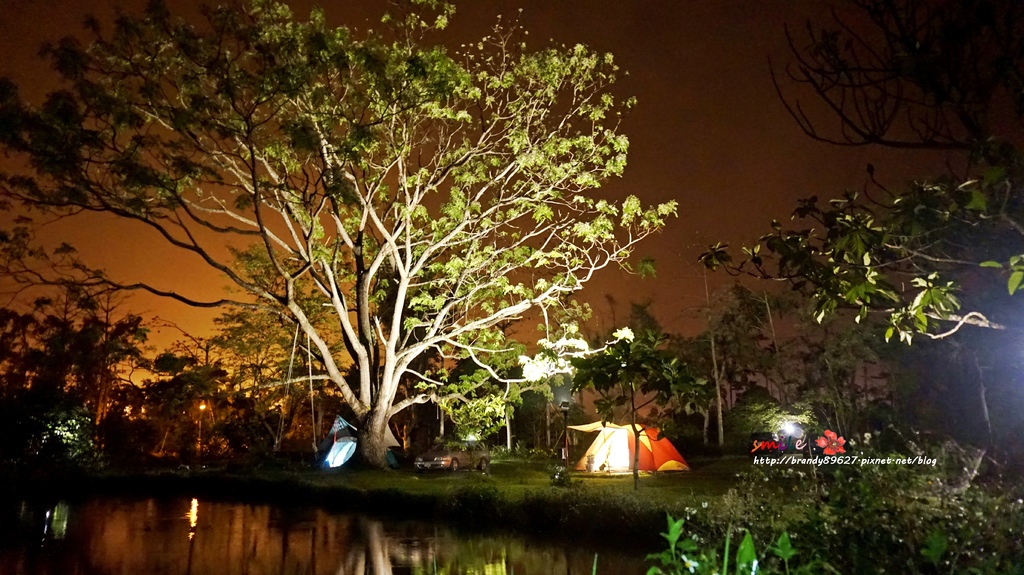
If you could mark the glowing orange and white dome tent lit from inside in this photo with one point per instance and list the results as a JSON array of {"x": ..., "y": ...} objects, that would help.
[{"x": 613, "y": 451}]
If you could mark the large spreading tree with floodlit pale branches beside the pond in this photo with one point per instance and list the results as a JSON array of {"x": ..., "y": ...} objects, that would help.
[{"x": 423, "y": 197}]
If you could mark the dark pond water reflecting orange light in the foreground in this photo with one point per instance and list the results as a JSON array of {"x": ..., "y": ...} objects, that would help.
[{"x": 115, "y": 537}]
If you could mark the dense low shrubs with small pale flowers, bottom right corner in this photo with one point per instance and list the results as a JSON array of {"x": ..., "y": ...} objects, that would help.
[{"x": 875, "y": 518}]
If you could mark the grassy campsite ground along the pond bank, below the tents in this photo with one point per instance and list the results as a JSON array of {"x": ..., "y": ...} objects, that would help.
[{"x": 510, "y": 480}]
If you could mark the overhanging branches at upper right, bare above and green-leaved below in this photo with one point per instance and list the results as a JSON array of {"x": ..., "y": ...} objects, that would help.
[{"x": 934, "y": 75}]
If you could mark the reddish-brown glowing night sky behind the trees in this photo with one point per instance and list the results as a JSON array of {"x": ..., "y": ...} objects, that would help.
[{"x": 709, "y": 131}]
